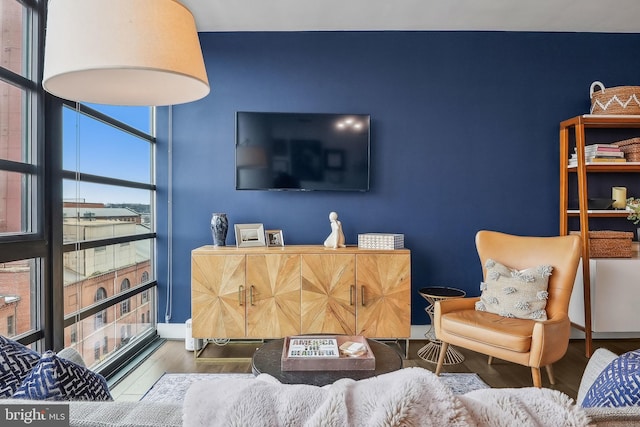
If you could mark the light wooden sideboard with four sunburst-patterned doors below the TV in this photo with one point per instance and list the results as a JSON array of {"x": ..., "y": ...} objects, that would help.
[{"x": 274, "y": 292}]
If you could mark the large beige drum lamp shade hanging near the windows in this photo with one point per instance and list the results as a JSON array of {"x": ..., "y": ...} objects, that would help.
[{"x": 123, "y": 52}]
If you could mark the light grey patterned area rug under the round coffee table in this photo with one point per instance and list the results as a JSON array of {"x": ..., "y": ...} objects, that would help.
[{"x": 171, "y": 388}]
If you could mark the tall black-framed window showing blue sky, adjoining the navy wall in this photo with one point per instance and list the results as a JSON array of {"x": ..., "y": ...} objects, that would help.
[{"x": 107, "y": 225}]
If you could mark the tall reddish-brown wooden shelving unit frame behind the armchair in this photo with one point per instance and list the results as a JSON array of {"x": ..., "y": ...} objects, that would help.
[{"x": 578, "y": 125}]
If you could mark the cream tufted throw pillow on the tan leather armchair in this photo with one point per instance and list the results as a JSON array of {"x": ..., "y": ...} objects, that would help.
[{"x": 512, "y": 293}]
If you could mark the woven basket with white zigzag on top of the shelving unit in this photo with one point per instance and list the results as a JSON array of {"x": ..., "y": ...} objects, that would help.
[{"x": 614, "y": 100}]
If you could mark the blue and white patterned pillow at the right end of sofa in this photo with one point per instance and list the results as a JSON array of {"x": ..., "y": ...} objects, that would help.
[{"x": 618, "y": 384}]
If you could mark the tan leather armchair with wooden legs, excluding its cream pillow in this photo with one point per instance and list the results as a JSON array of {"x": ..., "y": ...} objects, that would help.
[{"x": 528, "y": 342}]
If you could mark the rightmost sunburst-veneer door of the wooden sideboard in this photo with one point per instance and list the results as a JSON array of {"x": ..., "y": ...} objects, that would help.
[{"x": 384, "y": 295}]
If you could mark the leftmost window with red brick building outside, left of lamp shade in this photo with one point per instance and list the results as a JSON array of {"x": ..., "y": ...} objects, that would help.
[{"x": 23, "y": 247}]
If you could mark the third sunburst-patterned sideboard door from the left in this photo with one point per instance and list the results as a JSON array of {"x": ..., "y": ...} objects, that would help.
[{"x": 328, "y": 294}]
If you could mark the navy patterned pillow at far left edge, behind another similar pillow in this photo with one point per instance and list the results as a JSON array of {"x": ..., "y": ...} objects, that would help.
[{"x": 16, "y": 361}]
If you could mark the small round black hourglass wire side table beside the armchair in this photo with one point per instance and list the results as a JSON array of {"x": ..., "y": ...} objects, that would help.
[{"x": 431, "y": 351}]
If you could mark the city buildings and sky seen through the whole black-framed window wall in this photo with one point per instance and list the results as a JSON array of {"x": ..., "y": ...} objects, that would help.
[{"x": 106, "y": 225}]
